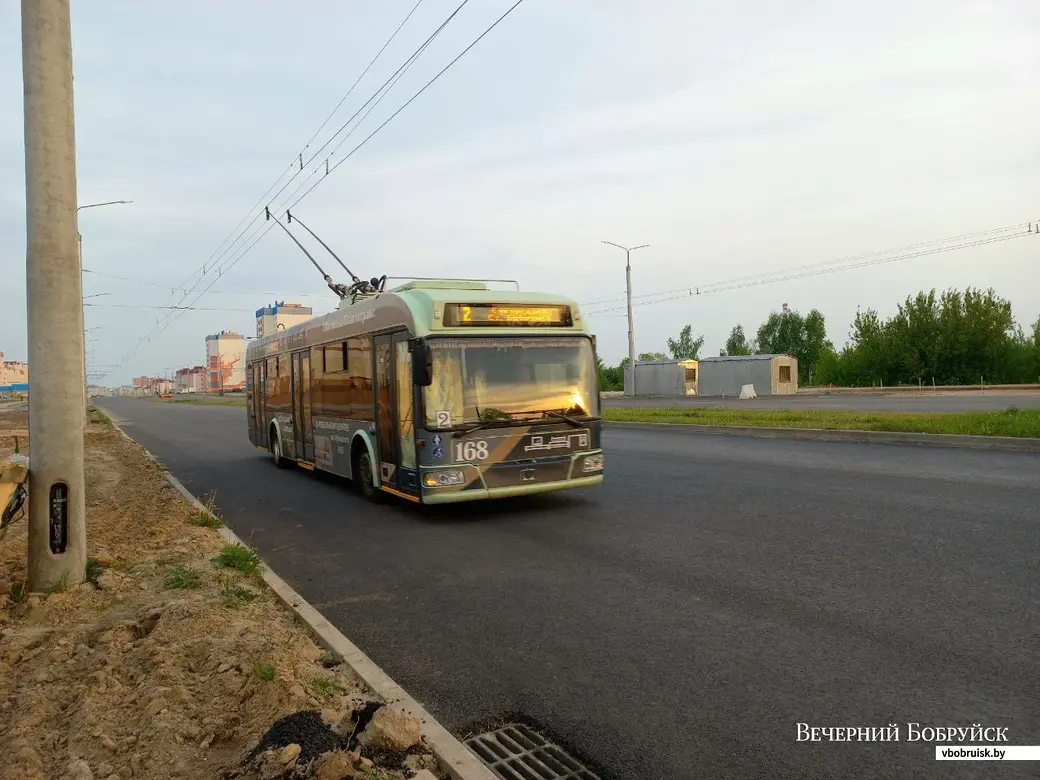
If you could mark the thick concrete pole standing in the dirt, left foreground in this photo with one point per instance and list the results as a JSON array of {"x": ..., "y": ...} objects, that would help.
[{"x": 58, "y": 529}]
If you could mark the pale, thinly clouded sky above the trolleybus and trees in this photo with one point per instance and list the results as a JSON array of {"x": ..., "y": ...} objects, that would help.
[{"x": 737, "y": 140}]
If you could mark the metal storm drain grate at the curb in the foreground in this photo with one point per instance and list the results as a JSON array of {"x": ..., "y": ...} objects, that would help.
[{"x": 518, "y": 752}]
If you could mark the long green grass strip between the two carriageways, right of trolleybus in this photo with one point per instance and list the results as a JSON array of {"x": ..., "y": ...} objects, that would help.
[{"x": 1011, "y": 422}]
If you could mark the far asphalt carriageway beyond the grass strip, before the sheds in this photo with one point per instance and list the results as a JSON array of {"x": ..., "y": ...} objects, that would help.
[{"x": 951, "y": 402}]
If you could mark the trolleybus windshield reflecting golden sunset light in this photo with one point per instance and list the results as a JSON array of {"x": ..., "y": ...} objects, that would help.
[{"x": 485, "y": 379}]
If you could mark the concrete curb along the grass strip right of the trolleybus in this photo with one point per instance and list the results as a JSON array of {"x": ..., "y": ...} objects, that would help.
[{"x": 1002, "y": 444}]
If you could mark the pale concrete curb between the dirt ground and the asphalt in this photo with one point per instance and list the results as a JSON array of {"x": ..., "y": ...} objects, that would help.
[{"x": 455, "y": 758}]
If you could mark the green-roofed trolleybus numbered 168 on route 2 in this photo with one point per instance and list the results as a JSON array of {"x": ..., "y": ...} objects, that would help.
[{"x": 434, "y": 392}]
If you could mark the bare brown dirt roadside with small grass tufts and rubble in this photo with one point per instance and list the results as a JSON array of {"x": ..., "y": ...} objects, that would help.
[{"x": 167, "y": 664}]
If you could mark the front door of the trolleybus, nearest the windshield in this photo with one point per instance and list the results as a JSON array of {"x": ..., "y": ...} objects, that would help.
[{"x": 395, "y": 414}]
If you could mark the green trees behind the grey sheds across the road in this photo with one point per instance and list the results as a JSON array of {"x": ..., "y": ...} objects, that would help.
[{"x": 948, "y": 339}]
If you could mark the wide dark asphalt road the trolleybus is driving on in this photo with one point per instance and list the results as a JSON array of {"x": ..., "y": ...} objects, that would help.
[{"x": 682, "y": 620}]
